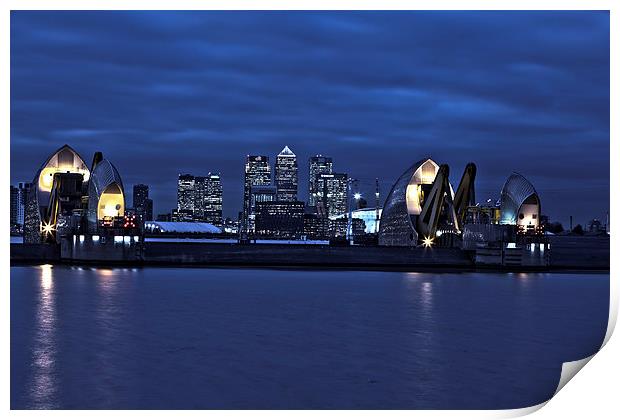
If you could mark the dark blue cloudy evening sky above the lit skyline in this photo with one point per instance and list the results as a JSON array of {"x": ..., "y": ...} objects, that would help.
[{"x": 167, "y": 92}]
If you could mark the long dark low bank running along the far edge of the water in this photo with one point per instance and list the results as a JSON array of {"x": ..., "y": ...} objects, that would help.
[{"x": 567, "y": 254}]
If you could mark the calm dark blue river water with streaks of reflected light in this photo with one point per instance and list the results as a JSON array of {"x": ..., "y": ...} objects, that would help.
[{"x": 258, "y": 338}]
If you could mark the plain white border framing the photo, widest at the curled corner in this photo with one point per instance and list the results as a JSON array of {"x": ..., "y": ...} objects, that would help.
[{"x": 595, "y": 391}]
